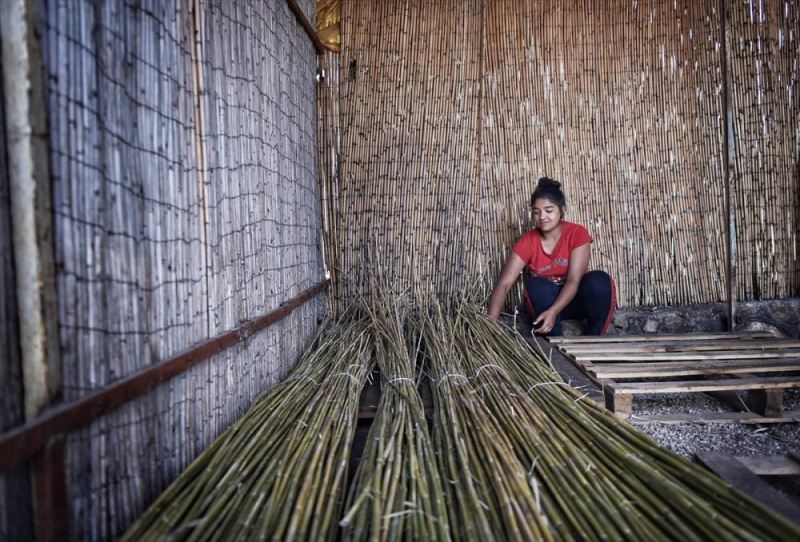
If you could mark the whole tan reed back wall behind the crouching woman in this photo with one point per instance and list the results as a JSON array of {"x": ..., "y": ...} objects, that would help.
[{"x": 443, "y": 115}]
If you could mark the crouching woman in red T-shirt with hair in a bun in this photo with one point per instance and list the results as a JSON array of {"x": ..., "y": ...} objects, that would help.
[{"x": 556, "y": 253}]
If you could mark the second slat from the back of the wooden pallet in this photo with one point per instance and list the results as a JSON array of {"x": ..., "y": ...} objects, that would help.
[{"x": 683, "y": 346}]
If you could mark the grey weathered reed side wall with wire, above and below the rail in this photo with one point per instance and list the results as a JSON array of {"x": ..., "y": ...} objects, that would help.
[{"x": 185, "y": 202}]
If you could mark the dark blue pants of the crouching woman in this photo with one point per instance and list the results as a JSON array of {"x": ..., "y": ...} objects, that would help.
[{"x": 595, "y": 301}]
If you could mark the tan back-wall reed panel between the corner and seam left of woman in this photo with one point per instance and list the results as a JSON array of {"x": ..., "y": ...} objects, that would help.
[{"x": 407, "y": 120}]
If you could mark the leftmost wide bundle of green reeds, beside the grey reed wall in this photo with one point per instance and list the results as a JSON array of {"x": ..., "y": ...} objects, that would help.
[{"x": 279, "y": 472}]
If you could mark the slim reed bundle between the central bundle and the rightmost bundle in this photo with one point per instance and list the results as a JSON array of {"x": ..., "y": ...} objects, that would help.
[{"x": 489, "y": 495}]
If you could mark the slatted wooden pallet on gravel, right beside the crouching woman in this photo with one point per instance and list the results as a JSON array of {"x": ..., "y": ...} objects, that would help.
[{"x": 625, "y": 366}]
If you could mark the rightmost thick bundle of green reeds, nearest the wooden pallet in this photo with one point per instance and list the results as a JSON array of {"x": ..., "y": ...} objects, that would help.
[{"x": 596, "y": 467}]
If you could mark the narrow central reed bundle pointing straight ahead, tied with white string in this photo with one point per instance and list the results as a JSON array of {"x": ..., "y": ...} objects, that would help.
[{"x": 397, "y": 491}]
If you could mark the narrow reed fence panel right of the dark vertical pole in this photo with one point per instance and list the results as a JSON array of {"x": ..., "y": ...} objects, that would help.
[{"x": 765, "y": 73}]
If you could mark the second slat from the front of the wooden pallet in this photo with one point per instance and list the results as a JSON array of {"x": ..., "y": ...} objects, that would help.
[{"x": 688, "y": 368}]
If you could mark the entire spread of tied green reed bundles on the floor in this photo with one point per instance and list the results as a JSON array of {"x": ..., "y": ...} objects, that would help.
[{"x": 515, "y": 452}]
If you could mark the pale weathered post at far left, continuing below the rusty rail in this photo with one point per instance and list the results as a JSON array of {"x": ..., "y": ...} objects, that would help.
[{"x": 27, "y": 146}]
